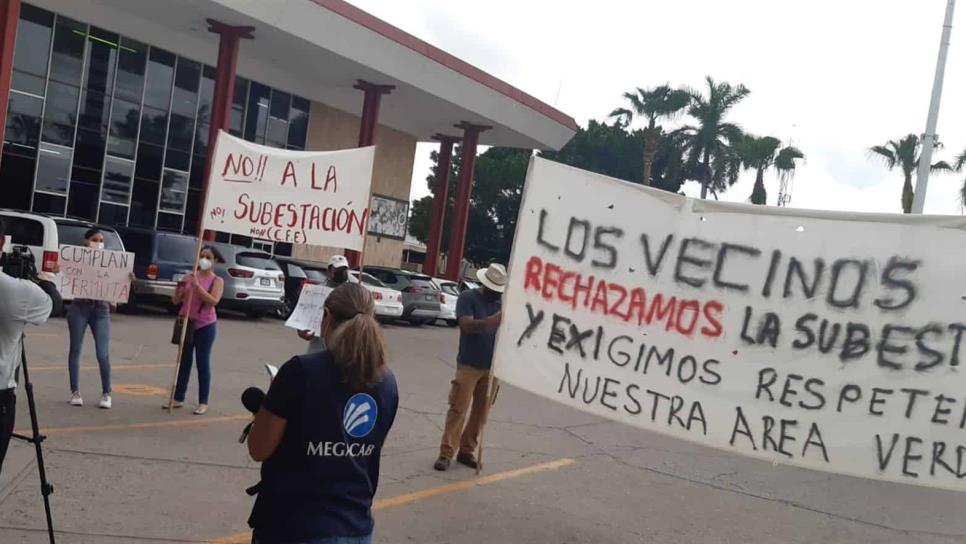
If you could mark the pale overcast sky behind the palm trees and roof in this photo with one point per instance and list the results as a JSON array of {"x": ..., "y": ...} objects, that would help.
[{"x": 834, "y": 77}]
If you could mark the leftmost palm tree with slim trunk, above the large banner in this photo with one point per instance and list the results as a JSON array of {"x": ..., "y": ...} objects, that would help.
[{"x": 661, "y": 102}]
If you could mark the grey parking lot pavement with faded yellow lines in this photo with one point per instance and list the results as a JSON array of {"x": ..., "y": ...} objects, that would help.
[{"x": 136, "y": 474}]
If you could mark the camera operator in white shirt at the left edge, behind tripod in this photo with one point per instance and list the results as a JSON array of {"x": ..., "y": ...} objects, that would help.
[{"x": 22, "y": 301}]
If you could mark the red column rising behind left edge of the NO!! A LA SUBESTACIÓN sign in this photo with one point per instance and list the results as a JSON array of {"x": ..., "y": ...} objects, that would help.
[{"x": 224, "y": 94}]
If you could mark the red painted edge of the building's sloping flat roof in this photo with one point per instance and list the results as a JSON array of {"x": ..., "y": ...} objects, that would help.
[{"x": 373, "y": 23}]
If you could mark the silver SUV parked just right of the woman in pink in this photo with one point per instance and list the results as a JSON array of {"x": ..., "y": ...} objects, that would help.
[{"x": 254, "y": 283}]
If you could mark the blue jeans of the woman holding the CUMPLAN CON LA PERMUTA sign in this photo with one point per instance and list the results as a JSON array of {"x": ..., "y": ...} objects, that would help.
[{"x": 98, "y": 317}]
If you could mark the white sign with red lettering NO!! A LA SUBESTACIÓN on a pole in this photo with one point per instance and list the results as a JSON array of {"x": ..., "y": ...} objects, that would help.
[{"x": 299, "y": 197}]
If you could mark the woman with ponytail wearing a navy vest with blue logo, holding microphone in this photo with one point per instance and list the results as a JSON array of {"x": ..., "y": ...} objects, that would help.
[{"x": 320, "y": 431}]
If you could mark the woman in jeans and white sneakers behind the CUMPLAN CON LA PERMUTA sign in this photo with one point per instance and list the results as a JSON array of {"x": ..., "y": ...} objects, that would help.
[{"x": 96, "y": 314}]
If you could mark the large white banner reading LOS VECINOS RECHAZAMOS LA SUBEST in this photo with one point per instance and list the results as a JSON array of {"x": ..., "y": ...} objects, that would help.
[{"x": 825, "y": 340}]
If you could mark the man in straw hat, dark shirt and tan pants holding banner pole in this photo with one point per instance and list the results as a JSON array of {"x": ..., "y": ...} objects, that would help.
[{"x": 478, "y": 312}]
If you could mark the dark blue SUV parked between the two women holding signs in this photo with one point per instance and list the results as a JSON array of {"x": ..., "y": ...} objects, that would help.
[{"x": 160, "y": 259}]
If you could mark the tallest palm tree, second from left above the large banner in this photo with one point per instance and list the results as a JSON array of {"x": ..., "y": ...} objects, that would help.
[{"x": 711, "y": 140}]
